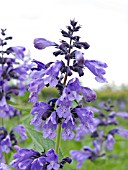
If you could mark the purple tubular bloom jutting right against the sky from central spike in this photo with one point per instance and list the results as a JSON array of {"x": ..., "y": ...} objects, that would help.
[{"x": 97, "y": 68}]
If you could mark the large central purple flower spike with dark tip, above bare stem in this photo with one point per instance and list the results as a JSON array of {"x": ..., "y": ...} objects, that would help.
[{"x": 55, "y": 74}]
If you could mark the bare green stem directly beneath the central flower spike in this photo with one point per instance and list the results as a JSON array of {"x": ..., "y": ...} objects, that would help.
[{"x": 58, "y": 138}]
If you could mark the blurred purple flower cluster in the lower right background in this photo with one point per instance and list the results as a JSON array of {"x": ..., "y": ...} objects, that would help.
[{"x": 104, "y": 133}]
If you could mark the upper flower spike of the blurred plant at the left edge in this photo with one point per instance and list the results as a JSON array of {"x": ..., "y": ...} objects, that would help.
[{"x": 13, "y": 74}]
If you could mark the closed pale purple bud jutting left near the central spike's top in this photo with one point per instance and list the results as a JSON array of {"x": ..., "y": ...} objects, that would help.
[{"x": 41, "y": 43}]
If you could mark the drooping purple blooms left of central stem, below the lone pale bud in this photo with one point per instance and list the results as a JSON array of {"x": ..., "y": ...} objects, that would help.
[{"x": 43, "y": 77}]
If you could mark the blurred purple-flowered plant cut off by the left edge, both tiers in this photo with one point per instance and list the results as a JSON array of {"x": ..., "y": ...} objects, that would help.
[{"x": 14, "y": 69}]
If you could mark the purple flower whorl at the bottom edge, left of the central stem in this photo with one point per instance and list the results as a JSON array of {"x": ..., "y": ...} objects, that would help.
[{"x": 31, "y": 159}]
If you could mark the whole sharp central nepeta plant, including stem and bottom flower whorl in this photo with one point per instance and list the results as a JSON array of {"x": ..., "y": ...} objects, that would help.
[{"x": 60, "y": 117}]
